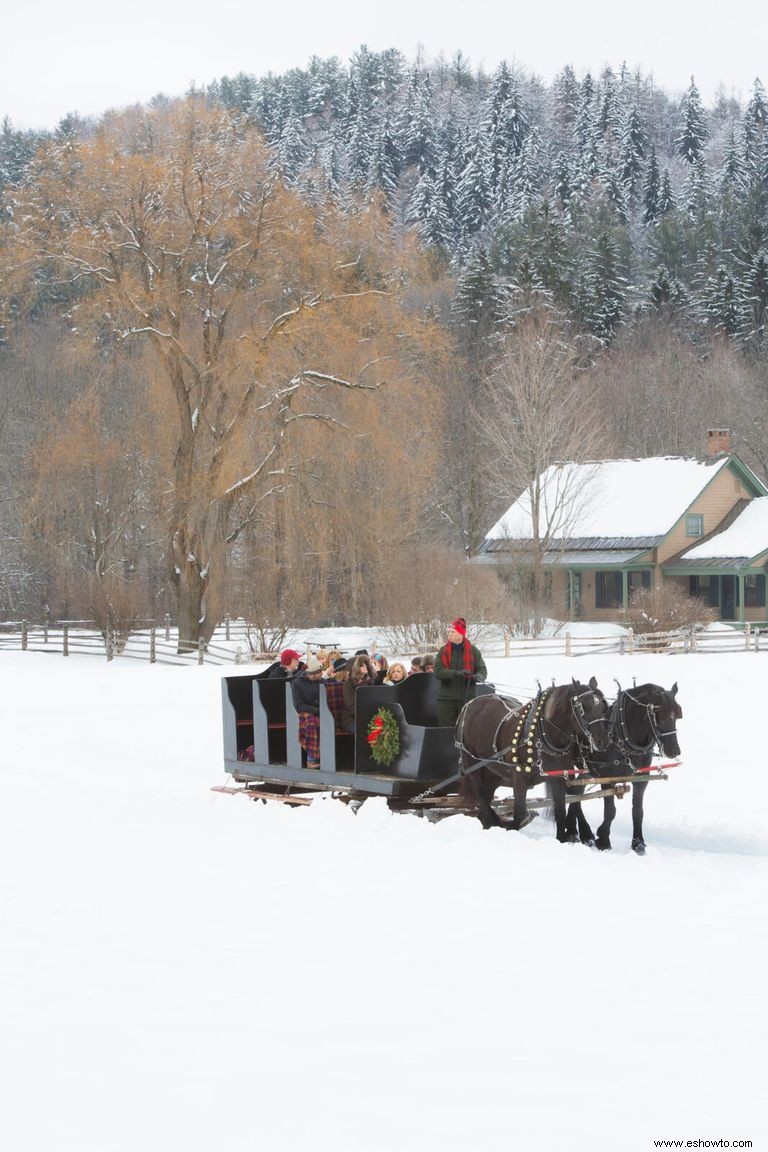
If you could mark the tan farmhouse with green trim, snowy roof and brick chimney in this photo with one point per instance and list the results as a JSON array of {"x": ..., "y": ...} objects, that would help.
[{"x": 610, "y": 527}]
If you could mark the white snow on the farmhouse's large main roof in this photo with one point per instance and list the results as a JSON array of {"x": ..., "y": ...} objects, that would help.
[{"x": 613, "y": 498}]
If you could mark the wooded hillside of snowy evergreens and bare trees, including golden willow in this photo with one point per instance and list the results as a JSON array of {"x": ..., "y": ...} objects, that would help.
[{"x": 262, "y": 345}]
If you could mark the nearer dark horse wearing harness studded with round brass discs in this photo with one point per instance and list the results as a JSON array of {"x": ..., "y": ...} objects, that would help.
[{"x": 523, "y": 742}]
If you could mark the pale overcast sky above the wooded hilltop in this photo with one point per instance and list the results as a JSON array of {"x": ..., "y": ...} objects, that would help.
[{"x": 89, "y": 56}]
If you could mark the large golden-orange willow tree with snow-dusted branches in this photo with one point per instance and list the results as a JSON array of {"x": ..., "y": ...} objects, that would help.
[{"x": 253, "y": 315}]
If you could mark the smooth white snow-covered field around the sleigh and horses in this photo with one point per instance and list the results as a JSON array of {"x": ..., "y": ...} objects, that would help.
[{"x": 184, "y": 971}]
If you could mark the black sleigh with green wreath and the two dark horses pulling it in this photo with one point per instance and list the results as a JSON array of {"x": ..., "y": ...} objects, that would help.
[{"x": 568, "y": 738}]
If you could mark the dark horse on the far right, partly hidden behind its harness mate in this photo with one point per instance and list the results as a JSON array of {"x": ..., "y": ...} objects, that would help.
[{"x": 641, "y": 722}]
